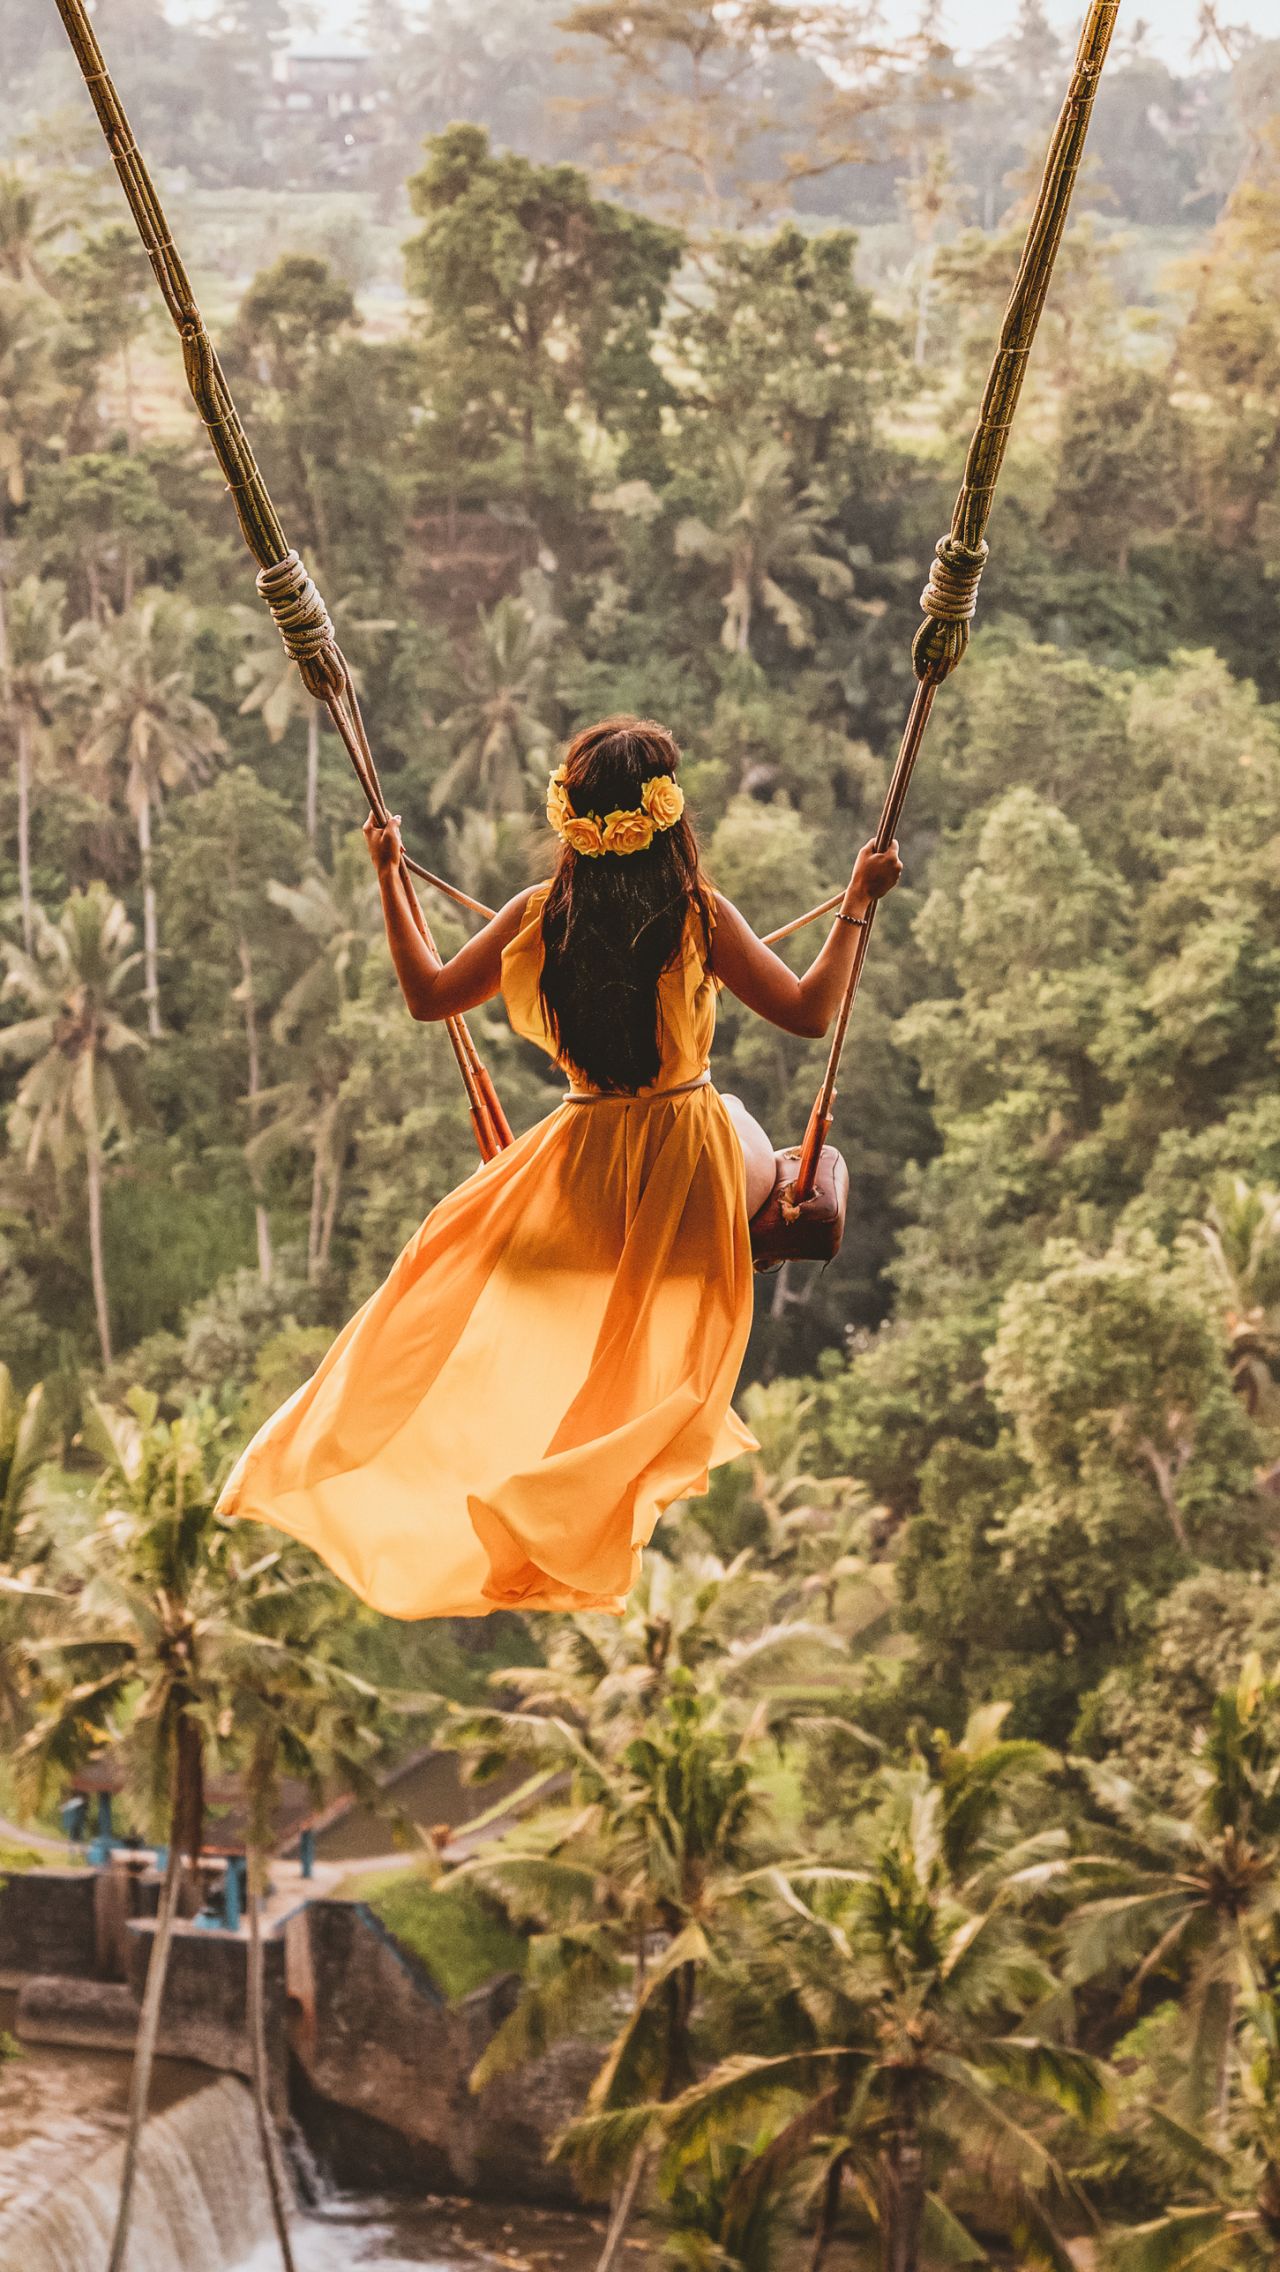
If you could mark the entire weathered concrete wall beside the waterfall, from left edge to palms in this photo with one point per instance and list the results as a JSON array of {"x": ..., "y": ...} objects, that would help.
[{"x": 381, "y": 2062}]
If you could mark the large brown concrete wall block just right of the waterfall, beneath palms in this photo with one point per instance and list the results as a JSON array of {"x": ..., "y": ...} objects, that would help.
[{"x": 388, "y": 2069}]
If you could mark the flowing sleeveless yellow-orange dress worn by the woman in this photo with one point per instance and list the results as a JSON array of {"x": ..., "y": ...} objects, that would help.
[{"x": 551, "y": 1360}]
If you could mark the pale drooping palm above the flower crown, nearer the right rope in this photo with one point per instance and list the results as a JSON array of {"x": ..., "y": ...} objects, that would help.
[{"x": 758, "y": 533}]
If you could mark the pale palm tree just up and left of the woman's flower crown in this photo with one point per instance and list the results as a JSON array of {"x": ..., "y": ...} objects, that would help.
[{"x": 501, "y": 730}]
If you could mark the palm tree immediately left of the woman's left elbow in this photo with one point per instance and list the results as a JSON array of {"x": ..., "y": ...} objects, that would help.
[{"x": 310, "y": 1112}]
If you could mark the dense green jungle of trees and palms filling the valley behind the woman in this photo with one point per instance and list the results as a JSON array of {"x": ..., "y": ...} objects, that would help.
[{"x": 854, "y": 1946}]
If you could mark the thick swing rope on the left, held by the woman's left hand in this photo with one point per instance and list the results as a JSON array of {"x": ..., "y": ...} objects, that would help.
[{"x": 294, "y": 601}]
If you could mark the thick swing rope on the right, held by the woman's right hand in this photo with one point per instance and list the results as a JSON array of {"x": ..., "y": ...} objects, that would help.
[{"x": 951, "y": 592}]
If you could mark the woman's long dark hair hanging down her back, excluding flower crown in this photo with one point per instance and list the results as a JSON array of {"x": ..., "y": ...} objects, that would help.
[{"x": 613, "y": 924}]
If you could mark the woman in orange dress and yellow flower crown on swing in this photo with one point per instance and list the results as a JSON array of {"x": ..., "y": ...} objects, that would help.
[{"x": 554, "y": 1358}]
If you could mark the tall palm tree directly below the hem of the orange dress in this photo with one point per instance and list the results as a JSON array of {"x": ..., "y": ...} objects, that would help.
[{"x": 645, "y": 1739}]
